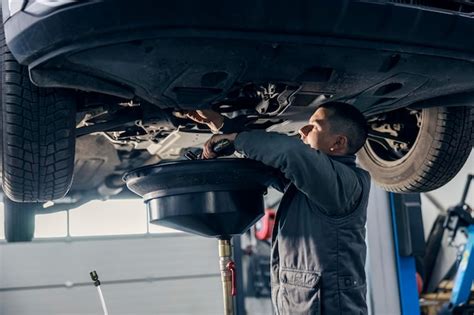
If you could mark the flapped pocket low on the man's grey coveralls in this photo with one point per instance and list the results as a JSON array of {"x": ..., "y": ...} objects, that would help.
[{"x": 299, "y": 292}]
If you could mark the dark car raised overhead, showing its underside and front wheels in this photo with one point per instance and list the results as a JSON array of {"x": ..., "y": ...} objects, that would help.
[{"x": 92, "y": 98}]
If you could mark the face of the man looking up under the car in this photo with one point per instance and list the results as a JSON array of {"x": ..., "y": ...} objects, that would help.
[{"x": 317, "y": 133}]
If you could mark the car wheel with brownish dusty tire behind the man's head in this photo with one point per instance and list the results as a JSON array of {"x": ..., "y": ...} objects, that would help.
[{"x": 438, "y": 142}]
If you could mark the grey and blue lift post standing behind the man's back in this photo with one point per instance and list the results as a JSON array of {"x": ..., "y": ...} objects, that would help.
[{"x": 394, "y": 237}]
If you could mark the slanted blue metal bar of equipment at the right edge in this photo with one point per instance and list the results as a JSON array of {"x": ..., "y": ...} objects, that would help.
[{"x": 465, "y": 274}]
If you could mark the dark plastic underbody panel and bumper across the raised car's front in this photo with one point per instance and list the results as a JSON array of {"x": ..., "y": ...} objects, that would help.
[{"x": 377, "y": 56}]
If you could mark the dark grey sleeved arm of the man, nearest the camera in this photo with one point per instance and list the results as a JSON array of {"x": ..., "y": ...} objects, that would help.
[{"x": 333, "y": 186}]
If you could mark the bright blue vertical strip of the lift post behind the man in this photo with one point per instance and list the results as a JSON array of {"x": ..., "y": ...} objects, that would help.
[{"x": 406, "y": 271}]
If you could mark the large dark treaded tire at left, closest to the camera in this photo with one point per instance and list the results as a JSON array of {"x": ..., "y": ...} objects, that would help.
[{"x": 38, "y": 138}]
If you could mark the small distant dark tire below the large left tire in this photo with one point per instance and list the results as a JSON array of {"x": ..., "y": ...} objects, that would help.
[{"x": 19, "y": 220}]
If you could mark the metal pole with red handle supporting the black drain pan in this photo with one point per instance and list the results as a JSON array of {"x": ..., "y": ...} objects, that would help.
[{"x": 225, "y": 260}]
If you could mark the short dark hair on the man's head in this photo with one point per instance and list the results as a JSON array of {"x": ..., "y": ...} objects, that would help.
[{"x": 349, "y": 121}]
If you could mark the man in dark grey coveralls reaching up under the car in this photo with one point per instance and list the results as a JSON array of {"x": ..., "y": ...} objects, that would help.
[{"x": 318, "y": 242}]
